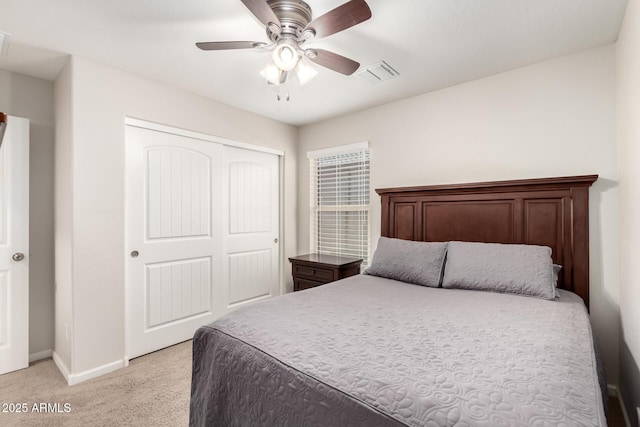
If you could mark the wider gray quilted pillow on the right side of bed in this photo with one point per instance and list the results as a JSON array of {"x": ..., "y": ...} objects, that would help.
[{"x": 517, "y": 269}]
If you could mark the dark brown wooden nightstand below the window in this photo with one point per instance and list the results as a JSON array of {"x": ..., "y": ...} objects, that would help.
[{"x": 313, "y": 270}]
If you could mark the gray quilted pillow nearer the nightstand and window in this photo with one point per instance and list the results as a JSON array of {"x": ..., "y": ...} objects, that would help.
[{"x": 419, "y": 263}]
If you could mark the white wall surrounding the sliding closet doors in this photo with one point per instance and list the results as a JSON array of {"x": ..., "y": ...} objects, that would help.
[{"x": 101, "y": 98}]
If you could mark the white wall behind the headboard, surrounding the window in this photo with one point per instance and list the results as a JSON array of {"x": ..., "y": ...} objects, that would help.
[{"x": 555, "y": 118}]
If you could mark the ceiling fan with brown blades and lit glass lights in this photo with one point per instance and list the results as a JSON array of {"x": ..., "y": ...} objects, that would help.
[{"x": 289, "y": 26}]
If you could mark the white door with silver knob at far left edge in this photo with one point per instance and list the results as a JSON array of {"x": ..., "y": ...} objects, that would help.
[{"x": 14, "y": 246}]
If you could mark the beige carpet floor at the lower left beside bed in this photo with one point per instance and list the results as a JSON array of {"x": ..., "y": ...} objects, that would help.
[{"x": 152, "y": 391}]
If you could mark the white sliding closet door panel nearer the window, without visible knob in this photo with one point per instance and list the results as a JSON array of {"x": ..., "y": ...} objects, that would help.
[{"x": 251, "y": 226}]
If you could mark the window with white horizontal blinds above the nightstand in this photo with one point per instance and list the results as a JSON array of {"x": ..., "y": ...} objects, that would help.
[{"x": 340, "y": 201}]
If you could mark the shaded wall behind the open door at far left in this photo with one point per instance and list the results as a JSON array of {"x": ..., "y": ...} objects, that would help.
[{"x": 31, "y": 98}]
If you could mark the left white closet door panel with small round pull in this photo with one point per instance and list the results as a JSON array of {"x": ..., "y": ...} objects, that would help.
[{"x": 174, "y": 225}]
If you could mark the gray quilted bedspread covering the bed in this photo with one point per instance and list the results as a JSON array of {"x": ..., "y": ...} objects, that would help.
[{"x": 370, "y": 351}]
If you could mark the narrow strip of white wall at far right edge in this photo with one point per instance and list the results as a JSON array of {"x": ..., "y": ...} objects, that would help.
[{"x": 628, "y": 67}]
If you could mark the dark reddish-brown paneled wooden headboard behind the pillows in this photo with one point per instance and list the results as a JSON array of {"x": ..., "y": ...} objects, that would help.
[{"x": 552, "y": 212}]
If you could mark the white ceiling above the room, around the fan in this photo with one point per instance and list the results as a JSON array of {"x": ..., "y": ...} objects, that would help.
[{"x": 432, "y": 44}]
